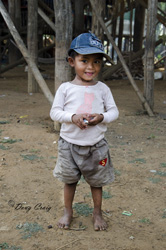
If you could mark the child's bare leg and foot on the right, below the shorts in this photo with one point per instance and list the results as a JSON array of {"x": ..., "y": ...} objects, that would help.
[{"x": 99, "y": 222}]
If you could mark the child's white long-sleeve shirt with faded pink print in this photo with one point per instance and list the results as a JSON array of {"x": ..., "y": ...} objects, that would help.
[{"x": 73, "y": 99}]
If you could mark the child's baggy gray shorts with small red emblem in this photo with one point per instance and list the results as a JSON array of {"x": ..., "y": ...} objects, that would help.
[{"x": 93, "y": 162}]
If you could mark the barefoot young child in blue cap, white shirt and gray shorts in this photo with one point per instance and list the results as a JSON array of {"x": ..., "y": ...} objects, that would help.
[{"x": 84, "y": 107}]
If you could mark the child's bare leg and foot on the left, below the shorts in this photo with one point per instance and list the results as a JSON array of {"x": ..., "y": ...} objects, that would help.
[{"x": 69, "y": 191}]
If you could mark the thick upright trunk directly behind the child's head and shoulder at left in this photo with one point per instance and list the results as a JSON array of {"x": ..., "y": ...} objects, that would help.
[{"x": 64, "y": 24}]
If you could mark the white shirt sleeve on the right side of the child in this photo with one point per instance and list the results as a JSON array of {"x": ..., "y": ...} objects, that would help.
[{"x": 111, "y": 111}]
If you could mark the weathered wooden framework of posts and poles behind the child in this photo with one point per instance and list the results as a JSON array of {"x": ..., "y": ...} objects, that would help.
[{"x": 104, "y": 18}]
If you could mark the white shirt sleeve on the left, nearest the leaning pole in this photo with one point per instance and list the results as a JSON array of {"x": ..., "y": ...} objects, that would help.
[{"x": 57, "y": 112}]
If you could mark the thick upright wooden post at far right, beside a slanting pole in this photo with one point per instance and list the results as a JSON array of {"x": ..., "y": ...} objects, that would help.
[{"x": 149, "y": 53}]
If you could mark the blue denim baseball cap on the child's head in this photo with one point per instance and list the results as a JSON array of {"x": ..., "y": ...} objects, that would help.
[{"x": 88, "y": 43}]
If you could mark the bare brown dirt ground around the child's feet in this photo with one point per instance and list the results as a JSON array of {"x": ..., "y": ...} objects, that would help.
[{"x": 31, "y": 199}]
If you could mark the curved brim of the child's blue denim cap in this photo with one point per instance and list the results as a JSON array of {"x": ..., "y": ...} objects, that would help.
[{"x": 92, "y": 50}]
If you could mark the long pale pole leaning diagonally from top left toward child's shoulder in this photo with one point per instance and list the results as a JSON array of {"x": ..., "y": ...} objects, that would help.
[{"x": 25, "y": 53}]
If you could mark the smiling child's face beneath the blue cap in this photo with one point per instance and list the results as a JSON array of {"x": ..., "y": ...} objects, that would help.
[{"x": 86, "y": 67}]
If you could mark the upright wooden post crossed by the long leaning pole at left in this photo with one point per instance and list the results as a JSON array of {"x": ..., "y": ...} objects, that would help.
[{"x": 32, "y": 41}]
